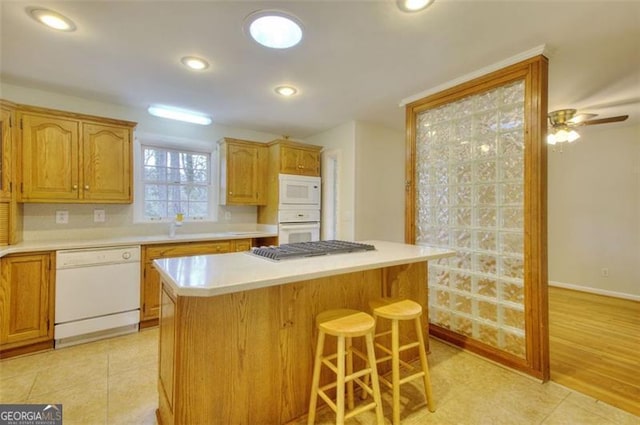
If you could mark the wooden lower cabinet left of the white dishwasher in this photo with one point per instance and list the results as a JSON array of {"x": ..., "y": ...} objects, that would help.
[{"x": 26, "y": 303}]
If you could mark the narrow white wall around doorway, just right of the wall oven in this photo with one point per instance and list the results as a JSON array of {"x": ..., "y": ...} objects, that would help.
[{"x": 340, "y": 141}]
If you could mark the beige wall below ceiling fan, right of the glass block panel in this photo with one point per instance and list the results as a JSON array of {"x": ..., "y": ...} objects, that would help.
[{"x": 594, "y": 211}]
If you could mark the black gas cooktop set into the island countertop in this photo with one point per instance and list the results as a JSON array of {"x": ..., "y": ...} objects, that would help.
[{"x": 310, "y": 249}]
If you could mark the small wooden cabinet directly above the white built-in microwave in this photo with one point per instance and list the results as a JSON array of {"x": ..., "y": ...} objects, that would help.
[{"x": 297, "y": 158}]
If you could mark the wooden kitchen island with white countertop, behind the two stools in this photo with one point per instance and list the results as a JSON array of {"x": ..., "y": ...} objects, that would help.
[{"x": 237, "y": 332}]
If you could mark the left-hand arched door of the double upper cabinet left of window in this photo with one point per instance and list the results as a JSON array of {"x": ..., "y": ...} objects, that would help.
[{"x": 49, "y": 158}]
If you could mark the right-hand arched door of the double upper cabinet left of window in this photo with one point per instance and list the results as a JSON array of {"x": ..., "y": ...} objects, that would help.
[{"x": 106, "y": 163}]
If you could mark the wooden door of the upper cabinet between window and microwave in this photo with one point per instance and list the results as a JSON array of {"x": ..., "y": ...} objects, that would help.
[{"x": 246, "y": 177}]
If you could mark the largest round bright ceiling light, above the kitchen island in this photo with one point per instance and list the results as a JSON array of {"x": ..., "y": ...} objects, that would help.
[{"x": 274, "y": 29}]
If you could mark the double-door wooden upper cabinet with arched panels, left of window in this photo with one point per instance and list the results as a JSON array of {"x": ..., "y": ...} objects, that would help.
[{"x": 75, "y": 158}]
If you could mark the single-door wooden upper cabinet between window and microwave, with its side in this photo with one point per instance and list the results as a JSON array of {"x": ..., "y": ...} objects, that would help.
[{"x": 243, "y": 172}]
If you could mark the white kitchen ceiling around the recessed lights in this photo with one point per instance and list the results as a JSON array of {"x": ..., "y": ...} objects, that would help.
[{"x": 357, "y": 60}]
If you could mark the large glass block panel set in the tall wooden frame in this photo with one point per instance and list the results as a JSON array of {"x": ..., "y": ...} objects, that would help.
[{"x": 470, "y": 182}]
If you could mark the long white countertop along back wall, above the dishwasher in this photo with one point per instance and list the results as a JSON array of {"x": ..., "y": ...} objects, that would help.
[{"x": 56, "y": 245}]
